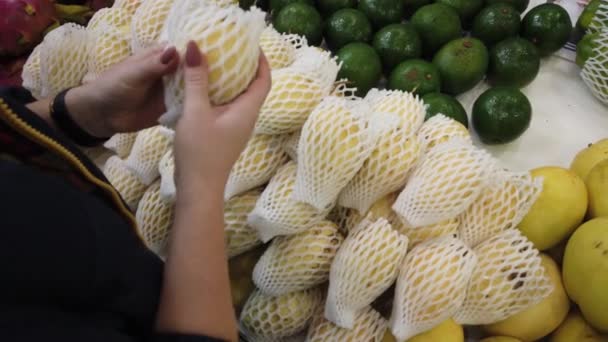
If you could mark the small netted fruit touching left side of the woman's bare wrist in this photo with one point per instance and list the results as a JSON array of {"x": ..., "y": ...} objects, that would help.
[{"x": 149, "y": 147}]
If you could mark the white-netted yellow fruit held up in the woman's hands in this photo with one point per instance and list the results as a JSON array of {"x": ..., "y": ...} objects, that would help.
[{"x": 228, "y": 36}]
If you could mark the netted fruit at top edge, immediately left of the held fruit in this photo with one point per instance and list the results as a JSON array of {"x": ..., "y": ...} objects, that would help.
[{"x": 148, "y": 22}]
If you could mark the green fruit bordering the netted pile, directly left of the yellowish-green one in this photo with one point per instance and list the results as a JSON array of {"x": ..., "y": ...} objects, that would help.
[{"x": 415, "y": 75}]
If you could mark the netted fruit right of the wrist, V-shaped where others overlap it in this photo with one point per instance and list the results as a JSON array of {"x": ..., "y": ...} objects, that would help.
[{"x": 277, "y": 213}]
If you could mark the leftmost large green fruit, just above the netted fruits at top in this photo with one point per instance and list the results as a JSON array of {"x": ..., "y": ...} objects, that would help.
[{"x": 300, "y": 19}]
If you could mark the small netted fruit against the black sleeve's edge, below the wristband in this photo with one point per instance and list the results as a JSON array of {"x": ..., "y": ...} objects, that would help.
[{"x": 124, "y": 181}]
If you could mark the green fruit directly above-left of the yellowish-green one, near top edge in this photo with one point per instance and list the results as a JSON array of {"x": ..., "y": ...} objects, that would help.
[{"x": 437, "y": 24}]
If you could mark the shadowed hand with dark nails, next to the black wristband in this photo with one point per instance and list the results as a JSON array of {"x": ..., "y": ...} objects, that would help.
[{"x": 128, "y": 97}]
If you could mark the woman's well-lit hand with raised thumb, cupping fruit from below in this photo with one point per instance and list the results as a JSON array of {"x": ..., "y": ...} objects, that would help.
[{"x": 209, "y": 139}]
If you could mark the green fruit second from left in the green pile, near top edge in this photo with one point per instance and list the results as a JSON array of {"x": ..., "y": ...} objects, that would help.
[{"x": 346, "y": 26}]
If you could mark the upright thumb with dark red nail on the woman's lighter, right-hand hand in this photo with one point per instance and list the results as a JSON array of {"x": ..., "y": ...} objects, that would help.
[{"x": 196, "y": 79}]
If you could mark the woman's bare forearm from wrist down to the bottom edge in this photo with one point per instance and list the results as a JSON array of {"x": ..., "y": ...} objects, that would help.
[{"x": 196, "y": 289}]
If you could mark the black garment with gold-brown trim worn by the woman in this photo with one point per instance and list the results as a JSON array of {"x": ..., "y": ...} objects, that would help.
[{"x": 73, "y": 265}]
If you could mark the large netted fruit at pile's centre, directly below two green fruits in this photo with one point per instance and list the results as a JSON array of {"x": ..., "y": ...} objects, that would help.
[{"x": 335, "y": 142}]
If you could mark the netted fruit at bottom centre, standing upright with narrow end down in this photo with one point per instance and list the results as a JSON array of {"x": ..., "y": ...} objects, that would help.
[{"x": 365, "y": 266}]
